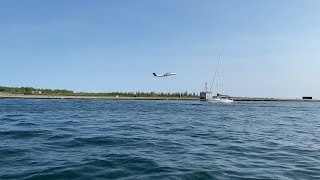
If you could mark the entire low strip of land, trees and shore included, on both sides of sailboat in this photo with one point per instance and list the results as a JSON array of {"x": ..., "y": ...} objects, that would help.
[{"x": 36, "y": 93}]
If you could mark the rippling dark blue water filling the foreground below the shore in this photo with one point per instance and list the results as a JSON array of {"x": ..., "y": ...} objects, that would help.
[{"x": 107, "y": 139}]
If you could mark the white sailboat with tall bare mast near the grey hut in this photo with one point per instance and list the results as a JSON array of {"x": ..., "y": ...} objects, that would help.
[{"x": 220, "y": 97}]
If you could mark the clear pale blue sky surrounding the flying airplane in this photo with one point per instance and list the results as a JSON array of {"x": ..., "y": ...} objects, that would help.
[{"x": 269, "y": 48}]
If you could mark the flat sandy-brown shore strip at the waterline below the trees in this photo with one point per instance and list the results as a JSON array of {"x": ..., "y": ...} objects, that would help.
[{"x": 22, "y": 96}]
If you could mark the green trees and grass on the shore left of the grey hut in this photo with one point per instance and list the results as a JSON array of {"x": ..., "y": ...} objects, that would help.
[{"x": 31, "y": 90}]
